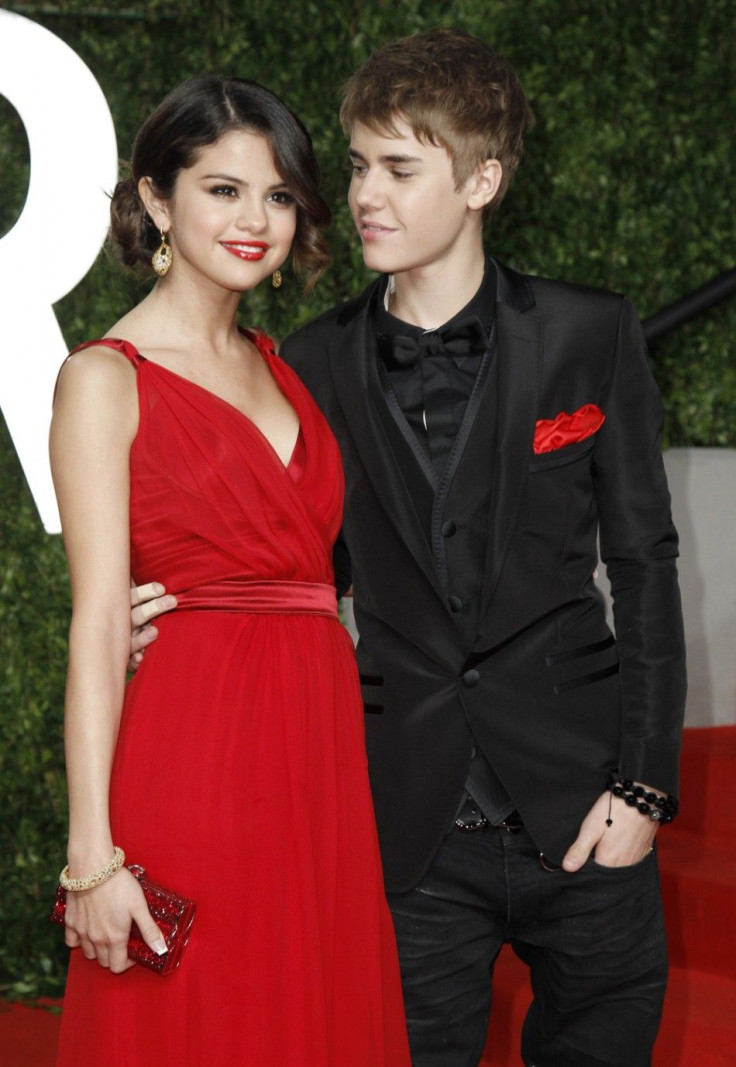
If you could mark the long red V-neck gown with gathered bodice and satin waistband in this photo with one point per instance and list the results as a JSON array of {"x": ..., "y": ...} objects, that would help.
[{"x": 241, "y": 775}]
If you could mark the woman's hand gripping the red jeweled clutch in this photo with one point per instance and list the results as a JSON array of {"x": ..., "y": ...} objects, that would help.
[{"x": 99, "y": 921}]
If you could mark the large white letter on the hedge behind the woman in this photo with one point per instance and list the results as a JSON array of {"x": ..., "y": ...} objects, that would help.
[{"x": 55, "y": 243}]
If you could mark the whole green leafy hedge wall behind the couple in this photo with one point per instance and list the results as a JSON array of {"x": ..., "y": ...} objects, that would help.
[{"x": 627, "y": 183}]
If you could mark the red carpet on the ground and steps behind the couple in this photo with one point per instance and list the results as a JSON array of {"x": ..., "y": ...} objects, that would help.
[{"x": 699, "y": 883}]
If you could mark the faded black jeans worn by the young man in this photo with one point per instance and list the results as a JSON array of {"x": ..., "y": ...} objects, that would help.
[{"x": 595, "y": 943}]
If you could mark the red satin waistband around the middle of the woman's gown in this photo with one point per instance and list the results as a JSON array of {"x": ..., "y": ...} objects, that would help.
[{"x": 262, "y": 598}]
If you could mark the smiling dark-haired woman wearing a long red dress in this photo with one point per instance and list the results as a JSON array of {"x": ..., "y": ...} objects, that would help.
[{"x": 233, "y": 766}]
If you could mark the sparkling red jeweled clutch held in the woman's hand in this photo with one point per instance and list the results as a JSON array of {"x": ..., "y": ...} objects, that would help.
[{"x": 173, "y": 915}]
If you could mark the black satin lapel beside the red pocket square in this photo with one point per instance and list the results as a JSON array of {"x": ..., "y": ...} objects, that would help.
[{"x": 520, "y": 374}]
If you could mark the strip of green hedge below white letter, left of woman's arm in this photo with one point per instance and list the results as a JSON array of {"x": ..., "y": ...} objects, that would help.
[{"x": 35, "y": 609}]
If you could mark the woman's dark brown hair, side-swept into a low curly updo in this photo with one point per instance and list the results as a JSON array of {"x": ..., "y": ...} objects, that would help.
[{"x": 197, "y": 115}]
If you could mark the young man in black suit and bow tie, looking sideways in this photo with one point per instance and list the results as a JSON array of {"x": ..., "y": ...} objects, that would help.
[{"x": 493, "y": 426}]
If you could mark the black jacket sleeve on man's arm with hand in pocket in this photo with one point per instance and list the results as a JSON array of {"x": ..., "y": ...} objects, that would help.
[{"x": 639, "y": 547}]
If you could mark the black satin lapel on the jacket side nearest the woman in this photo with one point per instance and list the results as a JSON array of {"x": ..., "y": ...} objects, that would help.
[{"x": 360, "y": 393}]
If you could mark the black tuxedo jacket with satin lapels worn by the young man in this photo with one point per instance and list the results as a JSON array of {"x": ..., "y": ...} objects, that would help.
[{"x": 540, "y": 683}]
